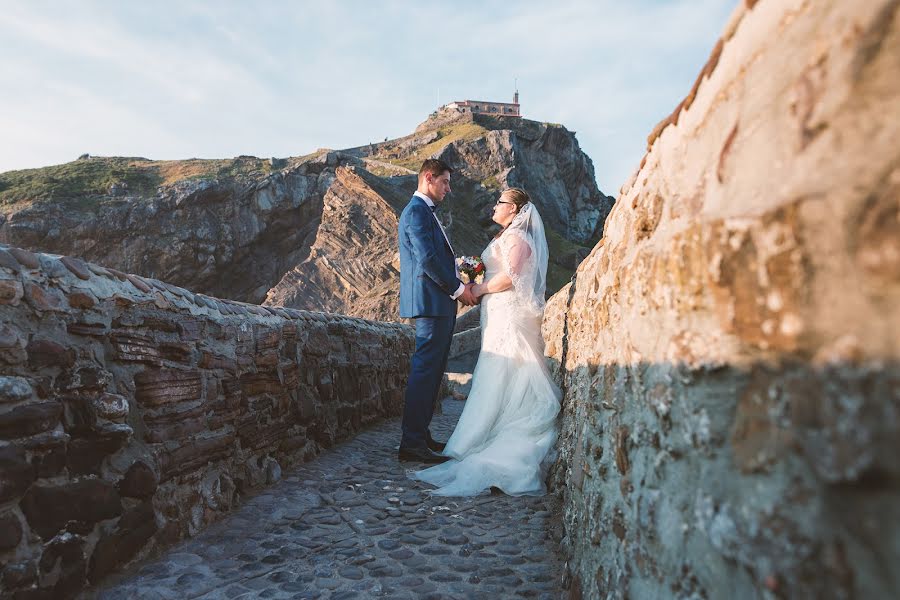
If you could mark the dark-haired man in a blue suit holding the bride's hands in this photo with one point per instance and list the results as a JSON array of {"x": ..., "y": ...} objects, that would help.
[{"x": 429, "y": 289}]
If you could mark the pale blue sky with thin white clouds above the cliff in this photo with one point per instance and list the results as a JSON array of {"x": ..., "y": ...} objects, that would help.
[{"x": 170, "y": 80}]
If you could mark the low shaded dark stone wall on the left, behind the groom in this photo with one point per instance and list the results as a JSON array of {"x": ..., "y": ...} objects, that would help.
[{"x": 134, "y": 413}]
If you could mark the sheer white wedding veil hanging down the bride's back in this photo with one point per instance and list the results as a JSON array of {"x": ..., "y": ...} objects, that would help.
[{"x": 525, "y": 256}]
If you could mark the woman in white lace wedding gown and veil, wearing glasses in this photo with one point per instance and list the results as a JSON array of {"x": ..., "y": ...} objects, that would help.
[{"x": 507, "y": 429}]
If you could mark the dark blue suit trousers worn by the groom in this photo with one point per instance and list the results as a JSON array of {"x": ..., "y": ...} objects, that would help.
[{"x": 433, "y": 337}]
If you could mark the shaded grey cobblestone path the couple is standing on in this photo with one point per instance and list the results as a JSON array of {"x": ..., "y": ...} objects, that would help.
[{"x": 350, "y": 524}]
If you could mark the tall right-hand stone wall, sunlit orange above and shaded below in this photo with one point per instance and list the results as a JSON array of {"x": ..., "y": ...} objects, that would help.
[{"x": 729, "y": 350}]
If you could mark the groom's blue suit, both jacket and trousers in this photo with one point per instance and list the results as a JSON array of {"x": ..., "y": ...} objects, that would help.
[{"x": 427, "y": 282}]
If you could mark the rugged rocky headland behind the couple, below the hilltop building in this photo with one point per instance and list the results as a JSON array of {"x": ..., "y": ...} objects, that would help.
[{"x": 314, "y": 232}]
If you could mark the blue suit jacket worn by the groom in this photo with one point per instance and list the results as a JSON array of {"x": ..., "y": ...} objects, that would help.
[{"x": 427, "y": 265}]
